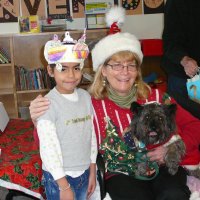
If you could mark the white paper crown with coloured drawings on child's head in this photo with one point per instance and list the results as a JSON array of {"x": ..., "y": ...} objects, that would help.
[{"x": 69, "y": 50}]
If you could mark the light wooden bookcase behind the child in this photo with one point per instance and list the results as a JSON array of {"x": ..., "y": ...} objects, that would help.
[{"x": 27, "y": 50}]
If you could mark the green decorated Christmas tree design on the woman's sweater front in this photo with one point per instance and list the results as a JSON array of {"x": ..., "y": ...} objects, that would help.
[{"x": 125, "y": 155}]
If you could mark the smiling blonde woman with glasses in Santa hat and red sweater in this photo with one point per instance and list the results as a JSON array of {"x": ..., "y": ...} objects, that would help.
[{"x": 117, "y": 84}]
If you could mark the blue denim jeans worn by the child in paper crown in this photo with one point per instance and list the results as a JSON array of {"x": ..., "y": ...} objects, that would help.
[{"x": 79, "y": 186}]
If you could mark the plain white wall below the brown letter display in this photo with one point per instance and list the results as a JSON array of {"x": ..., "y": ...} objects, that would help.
[{"x": 143, "y": 26}]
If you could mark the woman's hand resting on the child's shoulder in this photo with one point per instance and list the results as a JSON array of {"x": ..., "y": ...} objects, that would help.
[{"x": 38, "y": 107}]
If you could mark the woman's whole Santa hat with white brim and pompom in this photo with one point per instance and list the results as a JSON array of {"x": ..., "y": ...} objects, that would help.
[{"x": 115, "y": 41}]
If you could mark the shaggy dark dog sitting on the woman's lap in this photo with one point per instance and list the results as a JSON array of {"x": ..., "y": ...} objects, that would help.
[{"x": 154, "y": 123}]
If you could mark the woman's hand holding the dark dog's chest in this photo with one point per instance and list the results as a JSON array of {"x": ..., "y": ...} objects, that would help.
[{"x": 158, "y": 154}]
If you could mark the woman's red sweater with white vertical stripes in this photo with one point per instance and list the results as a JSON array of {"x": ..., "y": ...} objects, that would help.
[{"x": 188, "y": 126}]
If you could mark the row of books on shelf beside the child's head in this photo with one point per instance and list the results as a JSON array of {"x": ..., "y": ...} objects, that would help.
[{"x": 32, "y": 79}]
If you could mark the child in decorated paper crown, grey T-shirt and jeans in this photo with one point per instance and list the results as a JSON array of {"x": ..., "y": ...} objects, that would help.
[{"x": 67, "y": 141}]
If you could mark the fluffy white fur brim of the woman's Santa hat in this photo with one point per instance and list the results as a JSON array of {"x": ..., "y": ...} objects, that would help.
[{"x": 112, "y": 44}]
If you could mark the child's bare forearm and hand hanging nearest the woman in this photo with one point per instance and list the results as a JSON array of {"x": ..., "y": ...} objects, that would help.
[{"x": 92, "y": 180}]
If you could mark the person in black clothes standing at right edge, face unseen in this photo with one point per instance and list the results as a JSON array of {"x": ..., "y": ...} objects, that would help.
[{"x": 181, "y": 42}]
